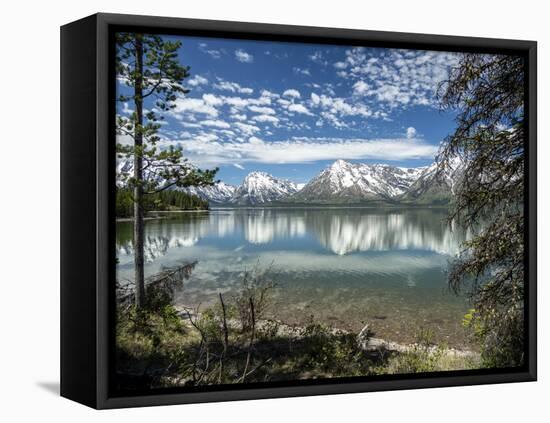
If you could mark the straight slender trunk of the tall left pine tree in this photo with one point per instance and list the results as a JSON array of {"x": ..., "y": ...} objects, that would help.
[{"x": 138, "y": 176}]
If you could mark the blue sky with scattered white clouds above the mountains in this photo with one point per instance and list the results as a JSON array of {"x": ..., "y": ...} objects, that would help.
[{"x": 292, "y": 109}]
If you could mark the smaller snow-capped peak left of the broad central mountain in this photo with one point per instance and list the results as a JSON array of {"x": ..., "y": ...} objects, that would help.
[{"x": 261, "y": 187}]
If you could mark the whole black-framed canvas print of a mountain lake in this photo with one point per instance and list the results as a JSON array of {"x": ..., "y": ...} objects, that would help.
[{"x": 255, "y": 211}]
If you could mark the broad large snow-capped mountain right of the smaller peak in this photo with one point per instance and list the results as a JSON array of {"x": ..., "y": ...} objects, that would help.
[{"x": 358, "y": 181}]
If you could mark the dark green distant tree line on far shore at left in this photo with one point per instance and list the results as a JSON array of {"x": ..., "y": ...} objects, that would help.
[{"x": 163, "y": 200}]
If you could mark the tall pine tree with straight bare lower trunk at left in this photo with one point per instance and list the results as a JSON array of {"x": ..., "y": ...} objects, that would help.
[{"x": 148, "y": 66}]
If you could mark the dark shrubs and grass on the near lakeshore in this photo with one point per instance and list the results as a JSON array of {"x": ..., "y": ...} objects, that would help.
[{"x": 234, "y": 342}]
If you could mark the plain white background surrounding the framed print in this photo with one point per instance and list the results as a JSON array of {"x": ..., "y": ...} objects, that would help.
[{"x": 29, "y": 207}]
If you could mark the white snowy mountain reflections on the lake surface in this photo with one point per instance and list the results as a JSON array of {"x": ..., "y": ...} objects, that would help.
[{"x": 340, "y": 231}]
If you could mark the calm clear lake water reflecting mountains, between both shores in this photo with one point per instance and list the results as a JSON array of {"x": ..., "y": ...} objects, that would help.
[{"x": 343, "y": 266}]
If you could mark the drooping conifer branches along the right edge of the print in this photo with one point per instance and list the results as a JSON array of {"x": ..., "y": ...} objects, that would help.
[{"x": 488, "y": 92}]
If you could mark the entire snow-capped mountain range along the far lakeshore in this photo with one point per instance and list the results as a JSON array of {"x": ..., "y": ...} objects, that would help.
[{"x": 341, "y": 182}]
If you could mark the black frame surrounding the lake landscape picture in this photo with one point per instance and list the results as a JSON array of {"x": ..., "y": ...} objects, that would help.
[{"x": 87, "y": 184}]
